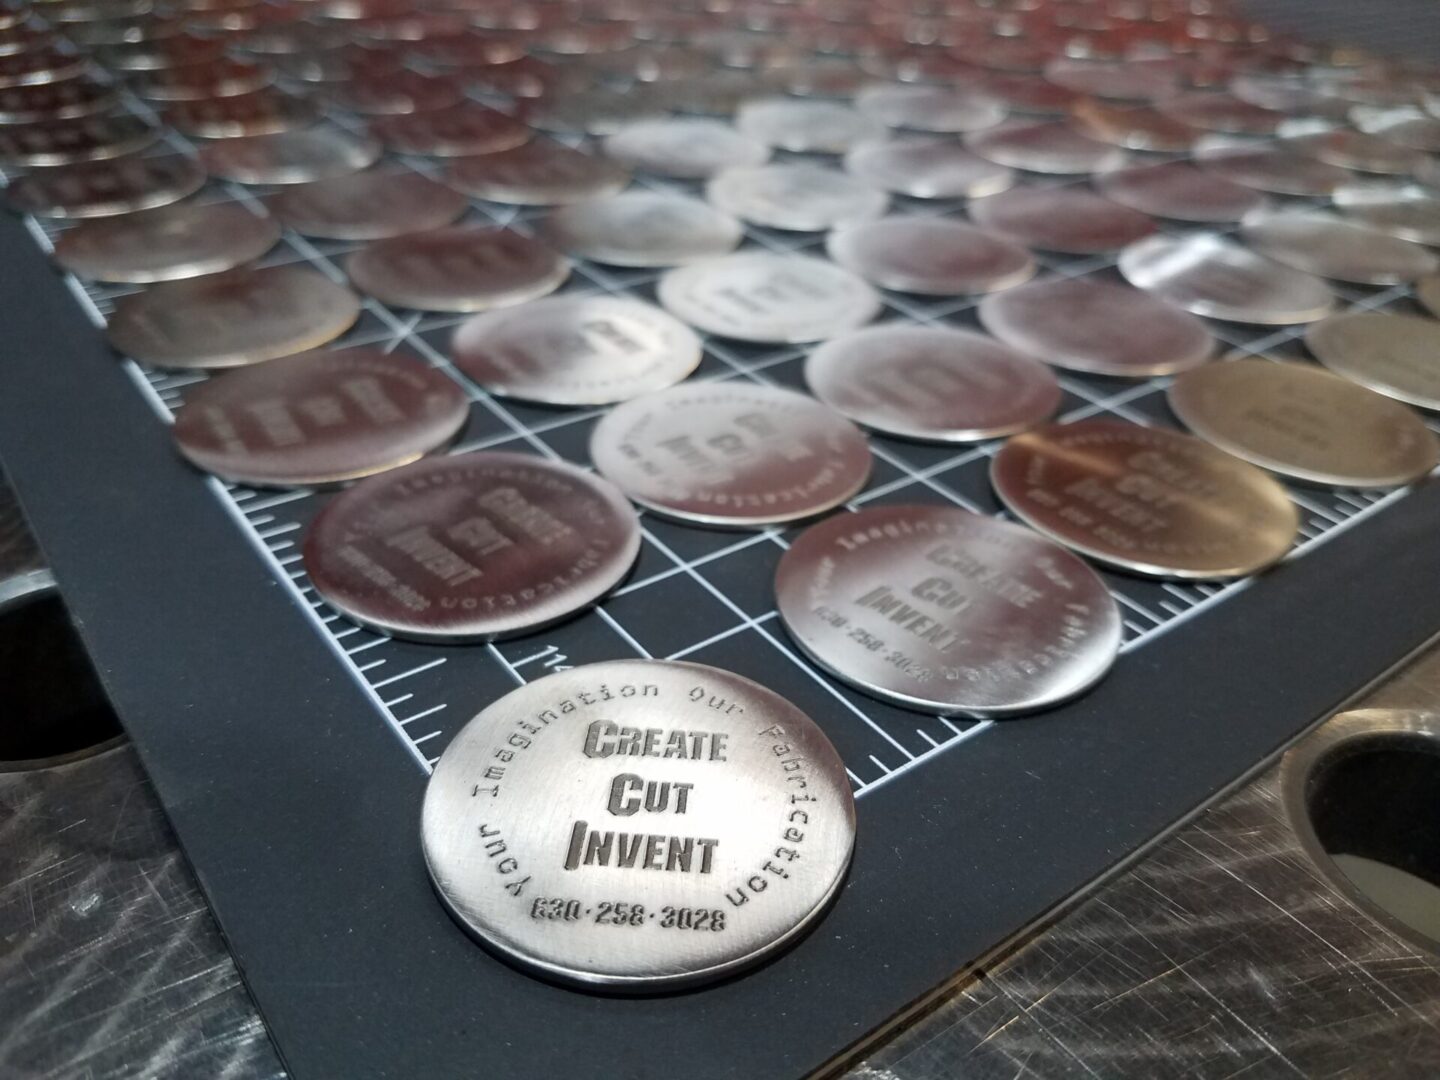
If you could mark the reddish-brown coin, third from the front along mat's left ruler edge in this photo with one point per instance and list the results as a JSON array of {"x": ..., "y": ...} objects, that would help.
[{"x": 320, "y": 418}]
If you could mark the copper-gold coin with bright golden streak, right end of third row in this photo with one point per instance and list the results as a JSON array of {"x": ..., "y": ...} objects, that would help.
[{"x": 1146, "y": 500}]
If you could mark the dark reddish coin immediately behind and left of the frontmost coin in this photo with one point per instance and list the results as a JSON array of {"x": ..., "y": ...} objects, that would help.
[{"x": 472, "y": 548}]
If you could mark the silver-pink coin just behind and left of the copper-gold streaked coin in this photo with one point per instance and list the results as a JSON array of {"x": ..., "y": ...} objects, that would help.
[{"x": 932, "y": 384}]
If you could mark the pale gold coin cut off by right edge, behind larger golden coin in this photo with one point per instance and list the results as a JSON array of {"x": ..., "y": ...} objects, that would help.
[{"x": 1398, "y": 356}]
